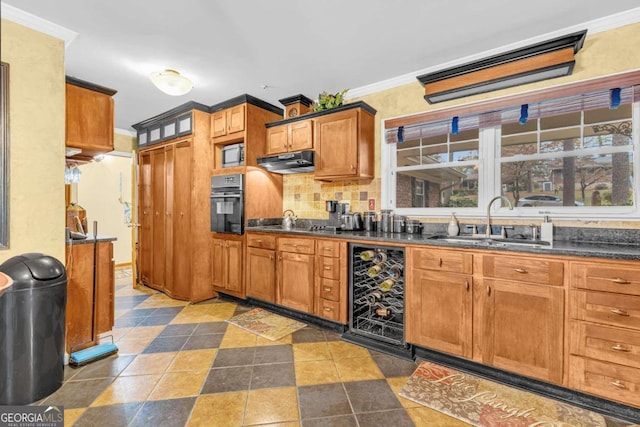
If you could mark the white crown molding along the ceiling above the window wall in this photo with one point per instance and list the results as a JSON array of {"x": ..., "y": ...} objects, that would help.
[{"x": 593, "y": 27}]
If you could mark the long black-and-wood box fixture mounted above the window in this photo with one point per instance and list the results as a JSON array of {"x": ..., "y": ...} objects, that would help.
[{"x": 541, "y": 61}]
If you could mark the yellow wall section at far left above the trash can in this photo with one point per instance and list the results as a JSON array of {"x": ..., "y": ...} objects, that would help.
[{"x": 36, "y": 138}]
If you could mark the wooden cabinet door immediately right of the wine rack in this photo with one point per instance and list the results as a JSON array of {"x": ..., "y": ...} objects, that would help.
[{"x": 439, "y": 311}]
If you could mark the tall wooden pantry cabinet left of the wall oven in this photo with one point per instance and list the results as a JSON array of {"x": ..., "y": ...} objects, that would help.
[{"x": 173, "y": 189}]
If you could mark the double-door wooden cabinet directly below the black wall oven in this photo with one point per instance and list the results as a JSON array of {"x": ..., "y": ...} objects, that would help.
[{"x": 227, "y": 262}]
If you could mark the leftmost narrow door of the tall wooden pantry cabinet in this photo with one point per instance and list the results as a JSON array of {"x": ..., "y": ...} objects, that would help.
[{"x": 145, "y": 215}]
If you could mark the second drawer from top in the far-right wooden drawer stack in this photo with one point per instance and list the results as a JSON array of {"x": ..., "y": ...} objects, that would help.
[{"x": 609, "y": 309}]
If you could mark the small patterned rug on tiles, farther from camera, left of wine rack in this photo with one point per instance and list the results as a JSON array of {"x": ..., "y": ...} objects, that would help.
[{"x": 266, "y": 324}]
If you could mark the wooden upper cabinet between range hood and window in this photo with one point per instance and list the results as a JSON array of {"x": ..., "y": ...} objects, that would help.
[{"x": 344, "y": 145}]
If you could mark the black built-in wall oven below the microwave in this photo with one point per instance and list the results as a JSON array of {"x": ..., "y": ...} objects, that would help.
[{"x": 227, "y": 204}]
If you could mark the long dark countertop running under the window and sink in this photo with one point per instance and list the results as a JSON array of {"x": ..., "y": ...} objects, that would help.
[{"x": 615, "y": 252}]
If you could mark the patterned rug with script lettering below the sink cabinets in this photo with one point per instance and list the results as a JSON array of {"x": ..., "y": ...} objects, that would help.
[{"x": 488, "y": 404}]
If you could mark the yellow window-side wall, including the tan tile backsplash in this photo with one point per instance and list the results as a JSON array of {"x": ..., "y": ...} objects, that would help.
[{"x": 602, "y": 54}]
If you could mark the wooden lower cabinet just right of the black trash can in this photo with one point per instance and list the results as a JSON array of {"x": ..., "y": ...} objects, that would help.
[{"x": 78, "y": 315}]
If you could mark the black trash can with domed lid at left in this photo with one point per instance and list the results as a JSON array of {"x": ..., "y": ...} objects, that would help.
[{"x": 32, "y": 328}]
